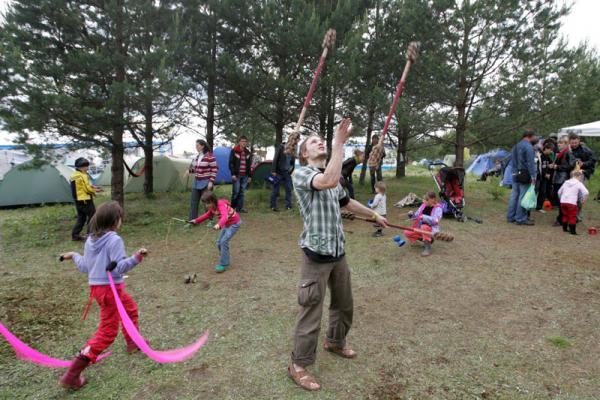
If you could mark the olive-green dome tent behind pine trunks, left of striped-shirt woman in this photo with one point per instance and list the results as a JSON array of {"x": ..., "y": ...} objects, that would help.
[{"x": 169, "y": 175}]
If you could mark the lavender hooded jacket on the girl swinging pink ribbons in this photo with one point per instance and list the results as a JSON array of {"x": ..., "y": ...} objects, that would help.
[{"x": 99, "y": 253}]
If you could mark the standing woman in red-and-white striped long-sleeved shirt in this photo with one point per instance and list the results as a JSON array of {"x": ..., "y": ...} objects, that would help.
[{"x": 204, "y": 169}]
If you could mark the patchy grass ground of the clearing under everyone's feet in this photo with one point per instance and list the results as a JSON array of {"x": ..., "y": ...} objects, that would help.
[{"x": 503, "y": 312}]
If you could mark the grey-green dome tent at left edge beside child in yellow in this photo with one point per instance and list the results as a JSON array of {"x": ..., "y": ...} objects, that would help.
[{"x": 27, "y": 184}]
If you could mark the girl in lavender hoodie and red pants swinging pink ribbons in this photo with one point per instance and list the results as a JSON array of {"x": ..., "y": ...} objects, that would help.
[{"x": 104, "y": 251}]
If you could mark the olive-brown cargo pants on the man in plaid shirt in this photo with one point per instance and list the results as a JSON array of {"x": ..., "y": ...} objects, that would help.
[{"x": 311, "y": 294}]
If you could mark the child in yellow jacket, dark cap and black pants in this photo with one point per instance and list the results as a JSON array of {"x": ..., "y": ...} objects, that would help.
[{"x": 83, "y": 194}]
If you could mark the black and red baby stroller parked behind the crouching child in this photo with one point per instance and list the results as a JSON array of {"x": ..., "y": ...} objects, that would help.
[{"x": 450, "y": 183}]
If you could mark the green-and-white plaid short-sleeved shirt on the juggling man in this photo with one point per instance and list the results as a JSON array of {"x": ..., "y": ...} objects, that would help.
[{"x": 323, "y": 232}]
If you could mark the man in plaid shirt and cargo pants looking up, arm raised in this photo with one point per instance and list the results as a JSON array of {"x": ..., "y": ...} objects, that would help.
[{"x": 320, "y": 197}]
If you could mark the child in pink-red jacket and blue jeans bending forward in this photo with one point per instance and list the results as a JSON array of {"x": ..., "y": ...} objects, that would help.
[{"x": 229, "y": 222}]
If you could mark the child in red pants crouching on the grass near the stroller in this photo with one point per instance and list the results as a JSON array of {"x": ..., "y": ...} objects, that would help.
[{"x": 426, "y": 218}]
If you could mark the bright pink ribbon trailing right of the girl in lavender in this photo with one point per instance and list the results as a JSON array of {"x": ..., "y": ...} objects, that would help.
[{"x": 163, "y": 357}]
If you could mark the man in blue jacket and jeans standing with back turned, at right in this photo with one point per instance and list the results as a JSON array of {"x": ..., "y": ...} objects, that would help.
[{"x": 523, "y": 174}]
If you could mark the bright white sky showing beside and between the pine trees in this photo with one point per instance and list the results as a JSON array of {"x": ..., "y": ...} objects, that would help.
[{"x": 581, "y": 25}]
